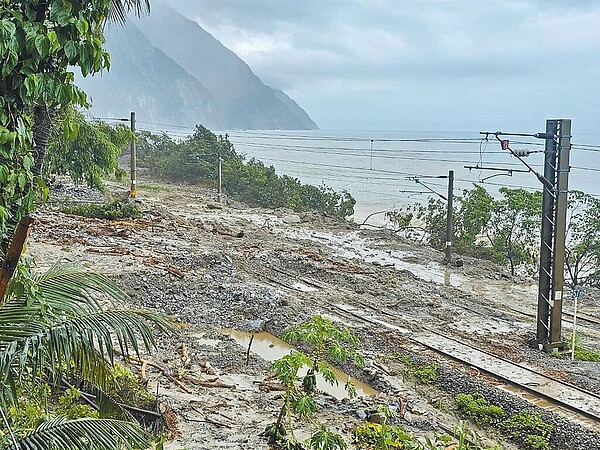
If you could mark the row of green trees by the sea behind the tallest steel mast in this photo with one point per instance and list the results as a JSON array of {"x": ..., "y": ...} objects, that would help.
[{"x": 506, "y": 229}]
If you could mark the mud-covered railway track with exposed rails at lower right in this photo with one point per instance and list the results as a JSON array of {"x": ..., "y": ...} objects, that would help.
[{"x": 545, "y": 392}]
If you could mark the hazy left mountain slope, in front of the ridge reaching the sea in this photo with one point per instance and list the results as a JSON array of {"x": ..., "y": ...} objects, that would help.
[{"x": 143, "y": 79}]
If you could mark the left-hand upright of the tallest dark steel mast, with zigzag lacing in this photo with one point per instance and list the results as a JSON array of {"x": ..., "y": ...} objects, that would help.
[{"x": 546, "y": 249}]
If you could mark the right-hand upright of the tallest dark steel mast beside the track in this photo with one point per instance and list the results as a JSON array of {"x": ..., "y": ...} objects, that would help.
[{"x": 560, "y": 224}]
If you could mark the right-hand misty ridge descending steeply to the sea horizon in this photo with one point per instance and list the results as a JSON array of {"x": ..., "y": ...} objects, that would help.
[{"x": 245, "y": 101}]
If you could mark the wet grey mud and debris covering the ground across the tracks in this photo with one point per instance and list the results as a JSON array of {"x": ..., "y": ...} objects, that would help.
[{"x": 219, "y": 267}]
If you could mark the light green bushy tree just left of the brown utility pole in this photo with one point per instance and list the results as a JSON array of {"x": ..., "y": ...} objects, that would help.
[{"x": 86, "y": 151}]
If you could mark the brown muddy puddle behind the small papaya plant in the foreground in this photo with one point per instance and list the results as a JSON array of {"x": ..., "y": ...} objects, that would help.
[{"x": 270, "y": 348}]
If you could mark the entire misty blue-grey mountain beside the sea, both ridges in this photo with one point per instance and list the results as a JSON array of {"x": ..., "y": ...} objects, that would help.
[{"x": 170, "y": 70}]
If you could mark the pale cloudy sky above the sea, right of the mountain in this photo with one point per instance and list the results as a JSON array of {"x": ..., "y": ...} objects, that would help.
[{"x": 420, "y": 65}]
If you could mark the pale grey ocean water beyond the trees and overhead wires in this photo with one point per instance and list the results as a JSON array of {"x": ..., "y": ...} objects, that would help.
[{"x": 379, "y": 168}]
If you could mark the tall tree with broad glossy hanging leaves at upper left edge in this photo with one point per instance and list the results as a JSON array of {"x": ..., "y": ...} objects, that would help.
[{"x": 40, "y": 42}]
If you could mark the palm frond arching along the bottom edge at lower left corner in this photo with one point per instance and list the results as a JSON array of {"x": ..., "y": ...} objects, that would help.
[{"x": 83, "y": 434}]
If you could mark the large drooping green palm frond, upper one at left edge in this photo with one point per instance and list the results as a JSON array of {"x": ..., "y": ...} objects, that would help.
[{"x": 83, "y": 343}]
